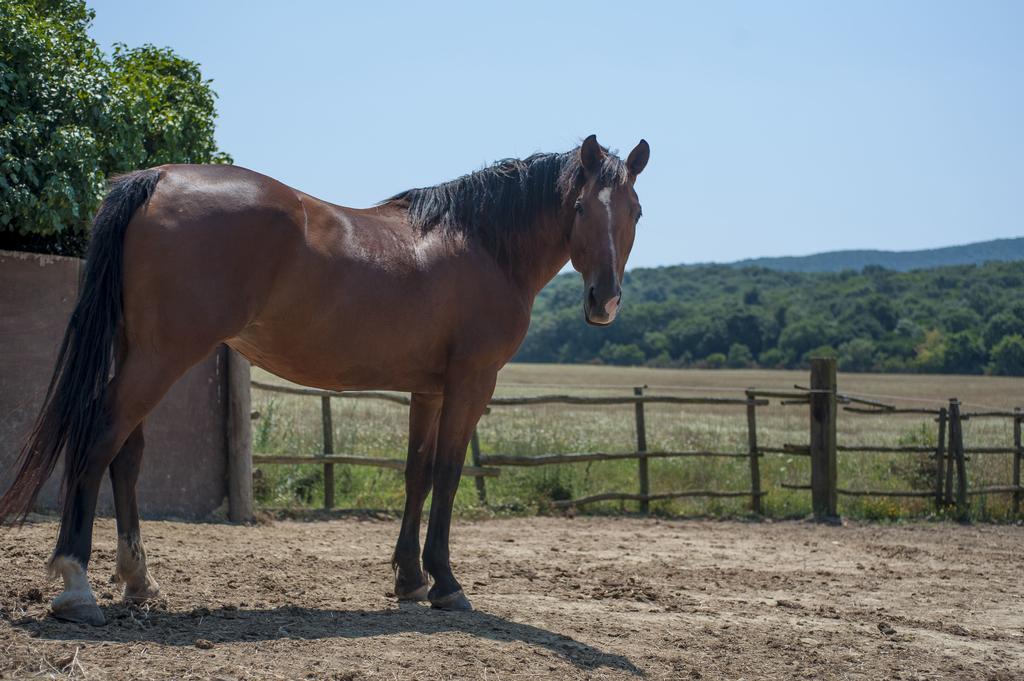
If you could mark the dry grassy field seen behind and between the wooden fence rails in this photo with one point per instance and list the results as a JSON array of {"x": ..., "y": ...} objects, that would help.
[{"x": 292, "y": 425}]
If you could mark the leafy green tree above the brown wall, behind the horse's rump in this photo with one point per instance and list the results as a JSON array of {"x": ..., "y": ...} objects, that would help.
[{"x": 70, "y": 118}]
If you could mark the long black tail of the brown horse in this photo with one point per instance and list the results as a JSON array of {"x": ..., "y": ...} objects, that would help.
[{"x": 74, "y": 403}]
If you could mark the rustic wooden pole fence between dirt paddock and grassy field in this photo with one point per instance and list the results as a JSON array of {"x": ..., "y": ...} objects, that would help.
[{"x": 823, "y": 399}]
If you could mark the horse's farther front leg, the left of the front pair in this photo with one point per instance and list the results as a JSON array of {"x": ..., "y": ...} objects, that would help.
[{"x": 424, "y": 413}]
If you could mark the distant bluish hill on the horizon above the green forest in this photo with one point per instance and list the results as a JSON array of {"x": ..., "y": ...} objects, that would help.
[{"x": 834, "y": 262}]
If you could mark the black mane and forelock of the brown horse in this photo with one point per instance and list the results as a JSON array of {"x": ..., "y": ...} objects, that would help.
[{"x": 500, "y": 203}]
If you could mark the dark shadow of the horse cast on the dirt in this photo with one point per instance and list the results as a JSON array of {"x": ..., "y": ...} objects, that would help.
[{"x": 126, "y": 624}]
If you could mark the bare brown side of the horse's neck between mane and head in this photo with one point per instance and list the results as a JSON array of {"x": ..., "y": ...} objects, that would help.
[{"x": 541, "y": 256}]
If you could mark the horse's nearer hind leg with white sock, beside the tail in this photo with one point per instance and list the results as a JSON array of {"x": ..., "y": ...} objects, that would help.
[{"x": 137, "y": 389}]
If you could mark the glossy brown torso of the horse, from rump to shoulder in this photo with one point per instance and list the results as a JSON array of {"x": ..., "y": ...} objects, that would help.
[{"x": 311, "y": 291}]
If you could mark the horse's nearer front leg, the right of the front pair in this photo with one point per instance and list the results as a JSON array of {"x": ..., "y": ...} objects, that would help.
[{"x": 466, "y": 397}]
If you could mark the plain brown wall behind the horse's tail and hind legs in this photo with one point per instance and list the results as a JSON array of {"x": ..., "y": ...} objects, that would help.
[{"x": 185, "y": 466}]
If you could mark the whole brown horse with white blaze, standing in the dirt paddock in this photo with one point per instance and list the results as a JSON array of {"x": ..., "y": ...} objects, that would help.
[{"x": 430, "y": 292}]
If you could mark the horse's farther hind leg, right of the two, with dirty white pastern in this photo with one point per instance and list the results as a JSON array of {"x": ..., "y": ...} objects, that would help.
[{"x": 132, "y": 568}]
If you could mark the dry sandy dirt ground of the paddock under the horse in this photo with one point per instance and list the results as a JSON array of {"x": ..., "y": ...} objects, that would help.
[{"x": 562, "y": 599}]
